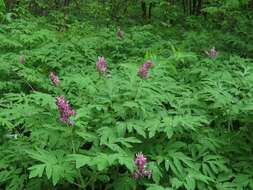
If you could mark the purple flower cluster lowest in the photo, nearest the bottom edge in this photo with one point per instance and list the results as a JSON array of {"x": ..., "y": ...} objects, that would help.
[{"x": 141, "y": 161}]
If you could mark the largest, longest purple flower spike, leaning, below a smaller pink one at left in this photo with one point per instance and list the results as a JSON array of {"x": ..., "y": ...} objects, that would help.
[{"x": 65, "y": 110}]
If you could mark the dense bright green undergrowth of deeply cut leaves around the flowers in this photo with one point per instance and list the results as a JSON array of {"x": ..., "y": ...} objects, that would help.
[{"x": 191, "y": 117}]
